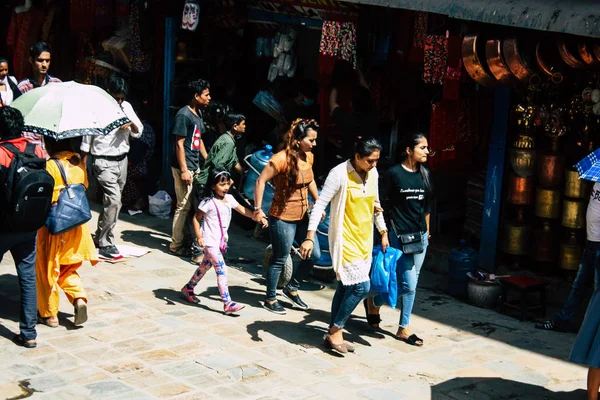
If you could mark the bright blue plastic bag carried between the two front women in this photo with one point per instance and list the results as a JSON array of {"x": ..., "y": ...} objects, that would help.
[{"x": 383, "y": 274}]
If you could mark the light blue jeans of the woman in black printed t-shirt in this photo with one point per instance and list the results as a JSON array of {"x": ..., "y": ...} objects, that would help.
[{"x": 408, "y": 269}]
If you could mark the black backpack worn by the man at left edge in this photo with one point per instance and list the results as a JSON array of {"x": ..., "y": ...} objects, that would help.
[{"x": 26, "y": 191}]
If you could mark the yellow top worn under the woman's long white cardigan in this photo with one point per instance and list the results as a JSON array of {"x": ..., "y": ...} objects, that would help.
[{"x": 358, "y": 221}]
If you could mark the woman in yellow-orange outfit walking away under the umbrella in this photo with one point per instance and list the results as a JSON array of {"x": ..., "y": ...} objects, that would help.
[{"x": 59, "y": 256}]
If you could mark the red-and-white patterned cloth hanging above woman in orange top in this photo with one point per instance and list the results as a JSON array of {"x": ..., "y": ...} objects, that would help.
[{"x": 338, "y": 39}]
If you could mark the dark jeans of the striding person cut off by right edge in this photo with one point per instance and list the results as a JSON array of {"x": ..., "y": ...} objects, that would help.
[{"x": 587, "y": 271}]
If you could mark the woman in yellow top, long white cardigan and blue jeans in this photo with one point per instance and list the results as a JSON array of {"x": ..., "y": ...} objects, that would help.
[{"x": 353, "y": 190}]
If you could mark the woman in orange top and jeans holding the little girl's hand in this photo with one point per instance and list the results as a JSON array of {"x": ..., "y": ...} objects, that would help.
[{"x": 293, "y": 178}]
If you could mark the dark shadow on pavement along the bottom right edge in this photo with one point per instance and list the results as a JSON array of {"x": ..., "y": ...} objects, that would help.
[{"x": 497, "y": 388}]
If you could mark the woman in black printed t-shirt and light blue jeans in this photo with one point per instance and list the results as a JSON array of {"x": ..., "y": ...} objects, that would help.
[{"x": 407, "y": 188}]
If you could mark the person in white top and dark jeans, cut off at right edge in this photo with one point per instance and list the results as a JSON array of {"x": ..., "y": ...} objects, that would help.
[{"x": 586, "y": 272}]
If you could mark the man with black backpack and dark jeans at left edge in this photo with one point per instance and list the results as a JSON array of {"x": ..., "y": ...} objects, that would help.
[{"x": 25, "y": 198}]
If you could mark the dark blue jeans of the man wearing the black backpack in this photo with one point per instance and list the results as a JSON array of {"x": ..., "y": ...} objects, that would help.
[{"x": 22, "y": 249}]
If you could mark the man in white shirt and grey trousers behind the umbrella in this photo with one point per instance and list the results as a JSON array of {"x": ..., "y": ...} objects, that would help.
[{"x": 109, "y": 154}]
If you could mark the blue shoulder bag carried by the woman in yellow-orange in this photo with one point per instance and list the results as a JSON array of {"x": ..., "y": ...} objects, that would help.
[{"x": 72, "y": 208}]
